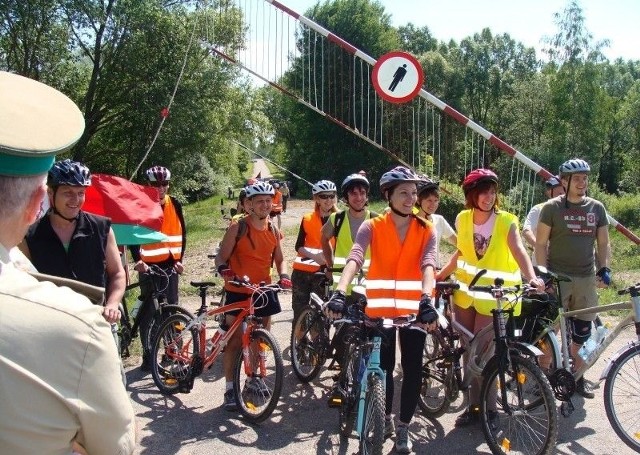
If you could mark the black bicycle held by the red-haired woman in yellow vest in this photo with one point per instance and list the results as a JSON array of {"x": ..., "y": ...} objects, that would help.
[{"x": 517, "y": 406}]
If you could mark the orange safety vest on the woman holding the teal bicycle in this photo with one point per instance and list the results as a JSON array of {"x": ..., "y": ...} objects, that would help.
[{"x": 394, "y": 281}]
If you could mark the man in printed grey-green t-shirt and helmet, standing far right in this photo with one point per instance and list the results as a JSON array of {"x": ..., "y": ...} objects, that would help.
[{"x": 571, "y": 228}]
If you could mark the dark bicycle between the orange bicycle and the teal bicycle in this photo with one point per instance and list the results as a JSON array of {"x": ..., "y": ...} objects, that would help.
[{"x": 311, "y": 340}]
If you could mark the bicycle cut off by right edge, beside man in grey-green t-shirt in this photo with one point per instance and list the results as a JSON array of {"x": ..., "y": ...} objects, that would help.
[{"x": 621, "y": 406}]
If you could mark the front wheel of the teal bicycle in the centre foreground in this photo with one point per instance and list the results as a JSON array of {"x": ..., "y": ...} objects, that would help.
[{"x": 372, "y": 437}]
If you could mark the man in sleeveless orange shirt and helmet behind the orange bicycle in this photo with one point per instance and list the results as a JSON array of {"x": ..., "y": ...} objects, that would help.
[{"x": 251, "y": 255}]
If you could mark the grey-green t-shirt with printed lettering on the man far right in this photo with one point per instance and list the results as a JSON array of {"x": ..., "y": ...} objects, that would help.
[{"x": 573, "y": 234}]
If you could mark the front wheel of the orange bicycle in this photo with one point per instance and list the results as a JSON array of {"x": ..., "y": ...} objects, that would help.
[{"x": 257, "y": 386}]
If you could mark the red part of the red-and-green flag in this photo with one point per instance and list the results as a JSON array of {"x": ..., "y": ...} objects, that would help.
[{"x": 123, "y": 201}]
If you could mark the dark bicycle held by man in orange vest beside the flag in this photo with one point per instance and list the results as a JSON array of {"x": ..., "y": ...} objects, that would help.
[{"x": 128, "y": 331}]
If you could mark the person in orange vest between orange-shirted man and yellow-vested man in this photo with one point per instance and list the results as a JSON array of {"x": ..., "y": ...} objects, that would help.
[{"x": 309, "y": 255}]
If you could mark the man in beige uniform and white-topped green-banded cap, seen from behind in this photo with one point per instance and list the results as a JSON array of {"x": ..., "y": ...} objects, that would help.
[{"x": 61, "y": 386}]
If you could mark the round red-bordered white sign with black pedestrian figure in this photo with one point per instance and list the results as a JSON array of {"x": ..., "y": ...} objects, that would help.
[{"x": 397, "y": 77}]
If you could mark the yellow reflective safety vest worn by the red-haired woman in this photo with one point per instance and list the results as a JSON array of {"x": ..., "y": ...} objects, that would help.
[{"x": 498, "y": 261}]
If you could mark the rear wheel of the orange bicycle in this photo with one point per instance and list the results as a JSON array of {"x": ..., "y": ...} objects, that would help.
[{"x": 172, "y": 353}]
